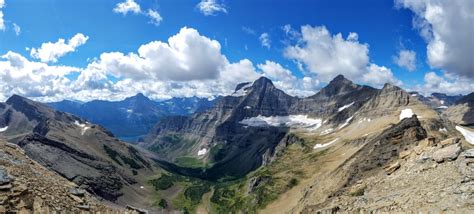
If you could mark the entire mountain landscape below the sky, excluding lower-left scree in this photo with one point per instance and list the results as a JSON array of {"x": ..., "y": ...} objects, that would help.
[{"x": 347, "y": 148}]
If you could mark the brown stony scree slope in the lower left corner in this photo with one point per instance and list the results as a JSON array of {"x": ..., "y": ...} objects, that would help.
[{"x": 26, "y": 186}]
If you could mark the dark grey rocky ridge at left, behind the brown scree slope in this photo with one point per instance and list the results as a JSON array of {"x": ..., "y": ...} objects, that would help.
[{"x": 84, "y": 153}]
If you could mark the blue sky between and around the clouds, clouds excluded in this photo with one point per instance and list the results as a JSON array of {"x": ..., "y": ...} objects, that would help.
[{"x": 385, "y": 27}]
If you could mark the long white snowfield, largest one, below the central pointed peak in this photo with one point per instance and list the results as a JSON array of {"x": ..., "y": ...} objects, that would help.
[{"x": 293, "y": 121}]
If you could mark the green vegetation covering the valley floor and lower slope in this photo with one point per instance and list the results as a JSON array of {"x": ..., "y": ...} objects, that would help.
[{"x": 235, "y": 195}]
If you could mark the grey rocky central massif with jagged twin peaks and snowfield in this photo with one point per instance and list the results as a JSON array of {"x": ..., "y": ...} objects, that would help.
[{"x": 235, "y": 134}]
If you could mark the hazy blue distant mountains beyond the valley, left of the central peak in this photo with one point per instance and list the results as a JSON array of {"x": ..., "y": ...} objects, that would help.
[{"x": 133, "y": 117}]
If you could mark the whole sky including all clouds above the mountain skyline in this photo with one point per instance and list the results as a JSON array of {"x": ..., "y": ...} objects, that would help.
[{"x": 52, "y": 50}]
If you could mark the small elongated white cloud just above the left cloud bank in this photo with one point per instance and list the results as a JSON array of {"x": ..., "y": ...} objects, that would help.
[{"x": 51, "y": 52}]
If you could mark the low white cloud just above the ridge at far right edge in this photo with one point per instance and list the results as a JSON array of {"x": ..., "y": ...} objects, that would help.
[{"x": 446, "y": 84}]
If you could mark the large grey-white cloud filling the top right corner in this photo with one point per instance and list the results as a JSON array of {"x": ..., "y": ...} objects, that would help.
[{"x": 447, "y": 28}]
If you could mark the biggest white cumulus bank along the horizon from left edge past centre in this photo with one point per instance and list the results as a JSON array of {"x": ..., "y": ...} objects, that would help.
[{"x": 187, "y": 64}]
